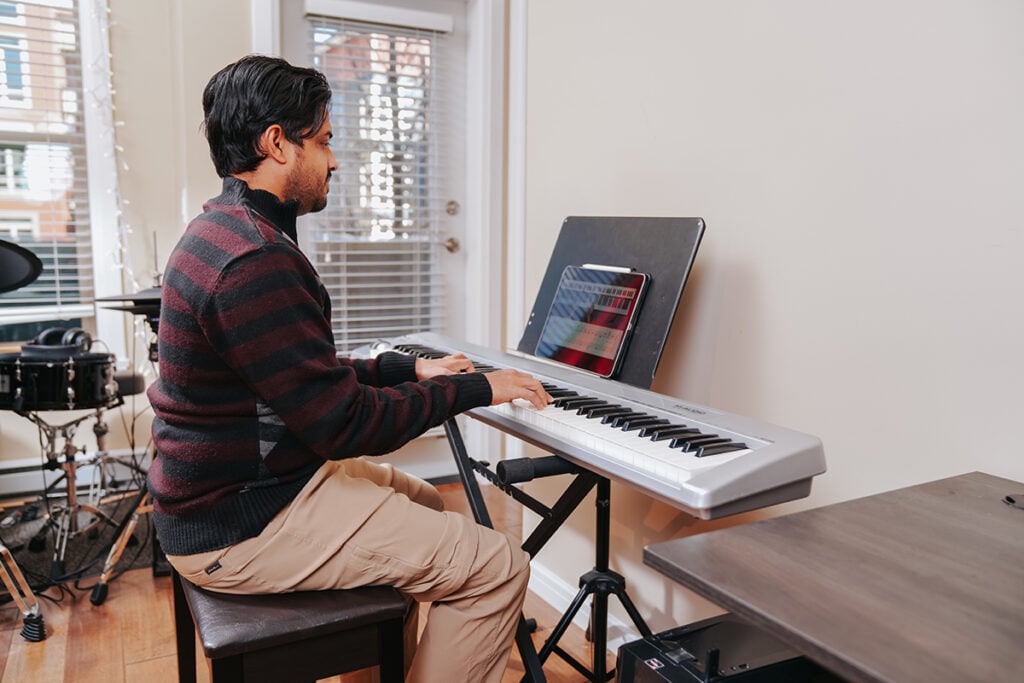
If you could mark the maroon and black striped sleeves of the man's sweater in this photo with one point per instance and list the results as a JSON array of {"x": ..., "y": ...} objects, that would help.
[{"x": 265, "y": 319}]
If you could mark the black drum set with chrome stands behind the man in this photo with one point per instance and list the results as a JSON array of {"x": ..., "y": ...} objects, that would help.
[{"x": 60, "y": 372}]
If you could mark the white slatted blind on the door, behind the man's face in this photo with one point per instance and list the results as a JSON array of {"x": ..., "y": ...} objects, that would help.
[{"x": 376, "y": 245}]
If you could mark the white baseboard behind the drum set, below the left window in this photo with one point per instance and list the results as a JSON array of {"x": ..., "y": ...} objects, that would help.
[{"x": 27, "y": 477}]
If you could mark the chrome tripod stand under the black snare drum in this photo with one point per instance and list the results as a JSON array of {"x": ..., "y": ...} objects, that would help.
[{"x": 68, "y": 517}]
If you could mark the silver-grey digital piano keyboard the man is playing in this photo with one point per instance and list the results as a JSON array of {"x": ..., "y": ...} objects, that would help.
[{"x": 704, "y": 461}]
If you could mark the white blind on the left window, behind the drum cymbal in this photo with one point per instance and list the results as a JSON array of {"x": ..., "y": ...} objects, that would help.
[{"x": 44, "y": 190}]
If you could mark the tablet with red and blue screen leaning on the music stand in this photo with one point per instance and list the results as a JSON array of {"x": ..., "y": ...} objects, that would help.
[{"x": 591, "y": 318}]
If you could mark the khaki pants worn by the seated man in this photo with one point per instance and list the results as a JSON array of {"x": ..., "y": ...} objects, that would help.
[{"x": 361, "y": 524}]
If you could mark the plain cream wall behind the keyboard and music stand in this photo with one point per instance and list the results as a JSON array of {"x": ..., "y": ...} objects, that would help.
[{"x": 860, "y": 167}]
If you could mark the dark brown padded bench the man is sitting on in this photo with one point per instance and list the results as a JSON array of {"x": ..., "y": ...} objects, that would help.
[{"x": 291, "y": 636}]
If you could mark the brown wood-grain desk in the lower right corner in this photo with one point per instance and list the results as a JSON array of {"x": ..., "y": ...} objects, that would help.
[{"x": 921, "y": 584}]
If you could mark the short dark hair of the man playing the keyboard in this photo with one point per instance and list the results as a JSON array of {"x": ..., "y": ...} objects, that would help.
[{"x": 244, "y": 99}]
